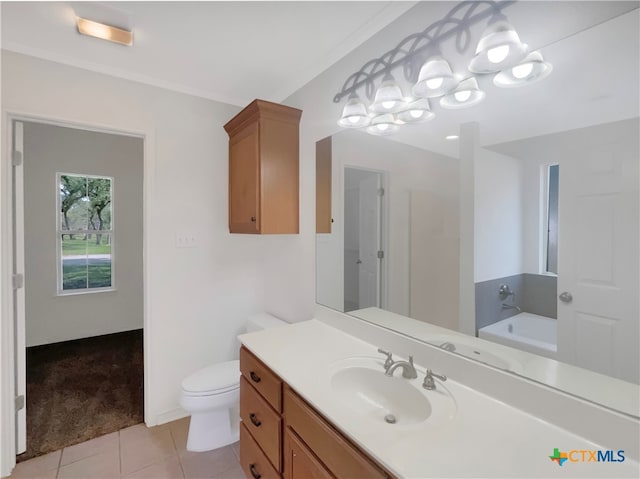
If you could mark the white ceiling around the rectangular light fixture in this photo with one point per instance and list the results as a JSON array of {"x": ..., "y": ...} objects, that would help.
[{"x": 231, "y": 52}]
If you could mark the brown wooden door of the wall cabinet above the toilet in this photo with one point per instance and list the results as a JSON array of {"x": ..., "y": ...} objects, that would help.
[{"x": 244, "y": 184}]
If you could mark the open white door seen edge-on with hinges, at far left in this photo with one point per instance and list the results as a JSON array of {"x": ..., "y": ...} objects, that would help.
[{"x": 18, "y": 291}]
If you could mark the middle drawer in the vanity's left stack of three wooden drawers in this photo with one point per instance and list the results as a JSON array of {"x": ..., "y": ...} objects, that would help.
[{"x": 262, "y": 422}]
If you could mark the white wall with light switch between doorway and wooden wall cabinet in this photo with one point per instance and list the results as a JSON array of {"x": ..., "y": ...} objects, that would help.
[{"x": 197, "y": 299}]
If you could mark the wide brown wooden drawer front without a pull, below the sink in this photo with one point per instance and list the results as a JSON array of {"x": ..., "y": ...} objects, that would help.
[{"x": 339, "y": 456}]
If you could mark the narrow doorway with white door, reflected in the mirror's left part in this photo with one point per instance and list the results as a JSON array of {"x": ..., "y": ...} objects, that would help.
[{"x": 363, "y": 253}]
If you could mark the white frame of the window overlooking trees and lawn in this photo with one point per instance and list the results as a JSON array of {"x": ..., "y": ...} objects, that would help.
[{"x": 59, "y": 232}]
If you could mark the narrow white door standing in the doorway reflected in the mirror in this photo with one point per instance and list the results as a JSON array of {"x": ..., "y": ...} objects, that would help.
[{"x": 369, "y": 266}]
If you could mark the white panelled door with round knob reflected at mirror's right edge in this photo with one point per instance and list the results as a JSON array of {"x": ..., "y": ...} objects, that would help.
[{"x": 598, "y": 259}]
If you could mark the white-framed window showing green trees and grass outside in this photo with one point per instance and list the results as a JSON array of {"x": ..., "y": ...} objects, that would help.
[{"x": 85, "y": 233}]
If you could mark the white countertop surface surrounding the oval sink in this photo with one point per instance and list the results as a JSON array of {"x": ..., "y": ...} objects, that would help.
[{"x": 485, "y": 438}]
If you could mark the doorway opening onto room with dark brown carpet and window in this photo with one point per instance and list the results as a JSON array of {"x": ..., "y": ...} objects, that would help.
[{"x": 78, "y": 216}]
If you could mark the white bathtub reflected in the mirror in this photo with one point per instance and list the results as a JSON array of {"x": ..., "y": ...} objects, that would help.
[{"x": 525, "y": 331}]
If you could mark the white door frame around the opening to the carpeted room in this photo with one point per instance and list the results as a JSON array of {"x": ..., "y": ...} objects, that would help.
[{"x": 7, "y": 250}]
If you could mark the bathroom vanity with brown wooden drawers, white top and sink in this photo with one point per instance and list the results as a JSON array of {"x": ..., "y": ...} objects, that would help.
[{"x": 315, "y": 402}]
